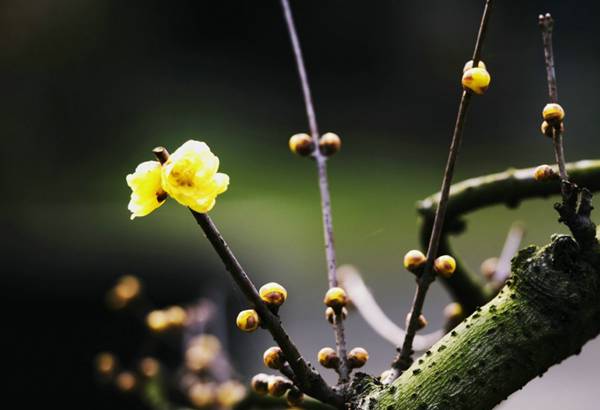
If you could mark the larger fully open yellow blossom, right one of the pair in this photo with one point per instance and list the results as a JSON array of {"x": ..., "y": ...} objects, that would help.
[{"x": 190, "y": 176}]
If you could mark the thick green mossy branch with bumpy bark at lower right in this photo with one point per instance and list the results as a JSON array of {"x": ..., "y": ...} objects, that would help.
[{"x": 546, "y": 312}]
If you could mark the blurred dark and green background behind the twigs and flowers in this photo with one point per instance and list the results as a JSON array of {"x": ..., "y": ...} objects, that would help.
[{"x": 90, "y": 86}]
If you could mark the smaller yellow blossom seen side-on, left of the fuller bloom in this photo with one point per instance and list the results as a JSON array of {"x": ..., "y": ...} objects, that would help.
[{"x": 146, "y": 191}]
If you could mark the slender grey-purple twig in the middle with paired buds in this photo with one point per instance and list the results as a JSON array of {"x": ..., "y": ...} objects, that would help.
[{"x": 321, "y": 161}]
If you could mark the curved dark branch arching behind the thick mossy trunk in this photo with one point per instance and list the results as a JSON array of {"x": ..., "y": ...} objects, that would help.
[{"x": 510, "y": 188}]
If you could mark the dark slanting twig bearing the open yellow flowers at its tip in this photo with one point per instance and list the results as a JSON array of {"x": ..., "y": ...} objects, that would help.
[{"x": 309, "y": 380}]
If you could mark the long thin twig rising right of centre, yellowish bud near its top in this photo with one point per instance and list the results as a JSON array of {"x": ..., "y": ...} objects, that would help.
[{"x": 403, "y": 360}]
